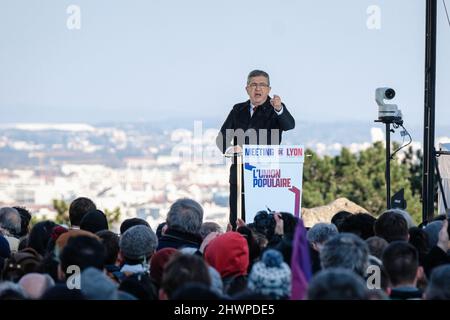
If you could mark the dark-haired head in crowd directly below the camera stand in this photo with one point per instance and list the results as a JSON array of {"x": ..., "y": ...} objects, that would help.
[{"x": 391, "y": 226}]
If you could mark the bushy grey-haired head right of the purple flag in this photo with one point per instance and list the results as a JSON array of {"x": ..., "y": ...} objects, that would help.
[{"x": 347, "y": 251}]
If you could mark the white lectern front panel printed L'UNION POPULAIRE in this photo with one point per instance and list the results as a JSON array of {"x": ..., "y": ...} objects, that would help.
[{"x": 273, "y": 177}]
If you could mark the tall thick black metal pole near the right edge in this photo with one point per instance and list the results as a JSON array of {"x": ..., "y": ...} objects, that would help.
[{"x": 429, "y": 111}]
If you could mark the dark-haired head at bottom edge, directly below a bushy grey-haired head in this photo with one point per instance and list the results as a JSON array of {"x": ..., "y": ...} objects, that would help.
[{"x": 337, "y": 284}]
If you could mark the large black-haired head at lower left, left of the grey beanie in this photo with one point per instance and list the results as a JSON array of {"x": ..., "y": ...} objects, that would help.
[{"x": 83, "y": 252}]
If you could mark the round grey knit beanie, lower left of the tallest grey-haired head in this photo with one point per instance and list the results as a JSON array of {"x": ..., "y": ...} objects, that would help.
[{"x": 138, "y": 242}]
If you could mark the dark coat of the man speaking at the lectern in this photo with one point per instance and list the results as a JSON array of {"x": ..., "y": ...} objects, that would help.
[{"x": 239, "y": 128}]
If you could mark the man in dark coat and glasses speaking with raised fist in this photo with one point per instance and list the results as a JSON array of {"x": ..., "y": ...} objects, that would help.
[{"x": 259, "y": 120}]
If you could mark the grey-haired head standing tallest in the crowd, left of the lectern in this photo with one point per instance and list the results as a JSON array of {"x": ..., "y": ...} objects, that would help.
[{"x": 185, "y": 215}]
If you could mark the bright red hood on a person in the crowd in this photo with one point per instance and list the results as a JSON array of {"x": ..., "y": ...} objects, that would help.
[{"x": 228, "y": 254}]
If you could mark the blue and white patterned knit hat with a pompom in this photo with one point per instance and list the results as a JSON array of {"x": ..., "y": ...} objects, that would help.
[{"x": 271, "y": 276}]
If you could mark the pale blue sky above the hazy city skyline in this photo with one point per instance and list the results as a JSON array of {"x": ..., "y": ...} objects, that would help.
[{"x": 153, "y": 60}]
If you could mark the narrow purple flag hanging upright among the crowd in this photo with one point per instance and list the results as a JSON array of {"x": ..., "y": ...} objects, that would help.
[{"x": 300, "y": 263}]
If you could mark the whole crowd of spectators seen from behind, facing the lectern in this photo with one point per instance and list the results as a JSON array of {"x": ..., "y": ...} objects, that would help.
[{"x": 274, "y": 257}]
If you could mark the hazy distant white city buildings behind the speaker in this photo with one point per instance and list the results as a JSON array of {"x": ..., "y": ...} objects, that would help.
[{"x": 134, "y": 168}]
